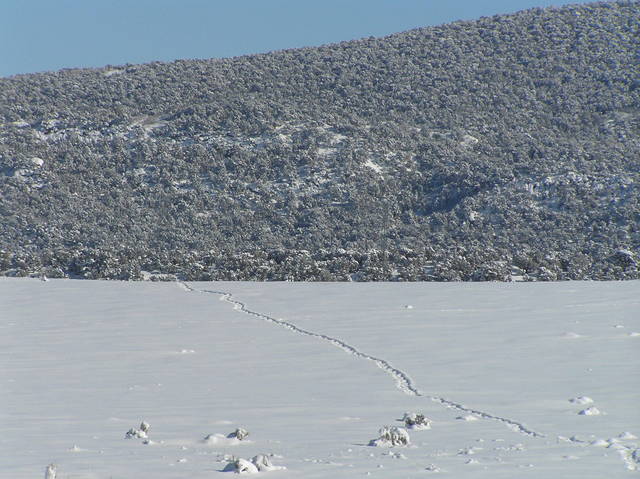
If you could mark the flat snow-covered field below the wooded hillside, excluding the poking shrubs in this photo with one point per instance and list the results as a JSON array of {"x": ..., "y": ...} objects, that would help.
[{"x": 313, "y": 371}]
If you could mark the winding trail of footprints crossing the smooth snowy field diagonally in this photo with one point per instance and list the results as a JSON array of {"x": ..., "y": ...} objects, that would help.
[{"x": 403, "y": 381}]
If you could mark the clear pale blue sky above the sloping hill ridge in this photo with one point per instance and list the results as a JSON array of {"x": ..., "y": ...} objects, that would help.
[{"x": 41, "y": 35}]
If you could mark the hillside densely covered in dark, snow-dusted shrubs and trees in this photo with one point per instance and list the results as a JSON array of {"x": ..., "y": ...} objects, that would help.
[{"x": 470, "y": 151}]
